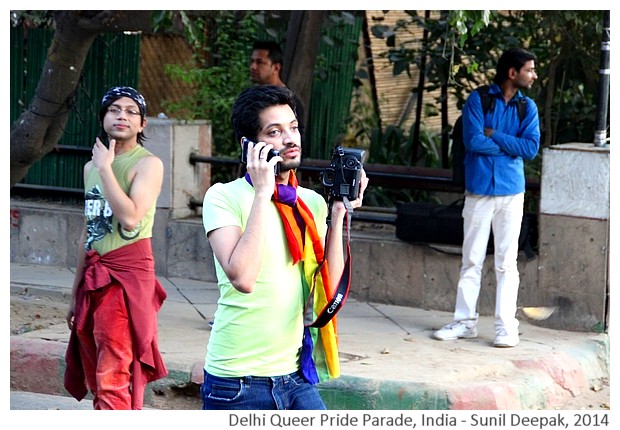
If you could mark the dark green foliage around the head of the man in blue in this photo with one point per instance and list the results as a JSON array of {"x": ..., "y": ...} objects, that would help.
[{"x": 463, "y": 48}]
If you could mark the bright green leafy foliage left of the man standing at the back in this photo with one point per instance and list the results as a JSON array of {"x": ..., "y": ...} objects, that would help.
[{"x": 222, "y": 44}]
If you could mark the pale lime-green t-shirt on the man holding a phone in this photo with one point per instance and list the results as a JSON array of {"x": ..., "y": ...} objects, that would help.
[{"x": 257, "y": 334}]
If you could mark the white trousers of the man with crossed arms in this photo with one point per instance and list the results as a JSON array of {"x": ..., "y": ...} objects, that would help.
[{"x": 504, "y": 215}]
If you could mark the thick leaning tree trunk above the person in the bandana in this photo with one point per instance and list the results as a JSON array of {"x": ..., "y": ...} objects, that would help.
[{"x": 38, "y": 130}]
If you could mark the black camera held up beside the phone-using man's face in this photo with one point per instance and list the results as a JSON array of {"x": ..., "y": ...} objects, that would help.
[{"x": 342, "y": 177}]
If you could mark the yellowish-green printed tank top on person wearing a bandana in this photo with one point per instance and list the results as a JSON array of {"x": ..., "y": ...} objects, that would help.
[{"x": 104, "y": 232}]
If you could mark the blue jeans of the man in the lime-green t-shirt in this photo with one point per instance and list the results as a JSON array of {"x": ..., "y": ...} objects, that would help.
[{"x": 260, "y": 393}]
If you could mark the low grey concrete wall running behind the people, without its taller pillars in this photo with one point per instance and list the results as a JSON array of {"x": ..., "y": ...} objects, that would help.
[{"x": 385, "y": 269}]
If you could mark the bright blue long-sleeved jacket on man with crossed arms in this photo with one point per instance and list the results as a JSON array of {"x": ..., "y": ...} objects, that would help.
[{"x": 494, "y": 165}]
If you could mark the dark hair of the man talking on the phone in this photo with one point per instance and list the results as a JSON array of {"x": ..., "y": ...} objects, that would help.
[{"x": 251, "y": 102}]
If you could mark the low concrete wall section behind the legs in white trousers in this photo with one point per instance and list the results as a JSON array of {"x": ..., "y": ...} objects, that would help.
[{"x": 388, "y": 270}]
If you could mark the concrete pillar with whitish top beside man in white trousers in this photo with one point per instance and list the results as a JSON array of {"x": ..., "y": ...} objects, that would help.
[{"x": 574, "y": 236}]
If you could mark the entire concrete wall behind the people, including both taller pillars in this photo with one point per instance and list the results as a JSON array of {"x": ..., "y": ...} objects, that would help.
[{"x": 571, "y": 271}]
